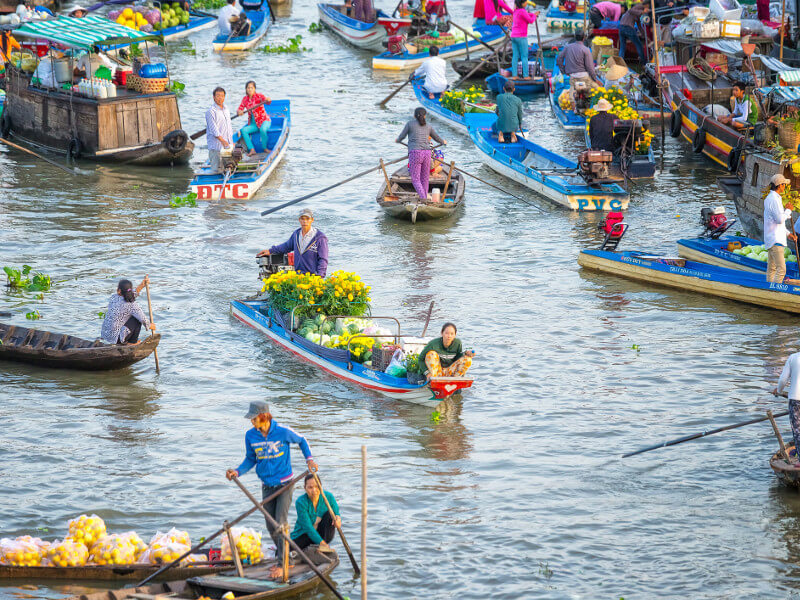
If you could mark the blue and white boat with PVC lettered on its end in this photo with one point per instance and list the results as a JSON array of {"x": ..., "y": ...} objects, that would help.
[{"x": 545, "y": 172}]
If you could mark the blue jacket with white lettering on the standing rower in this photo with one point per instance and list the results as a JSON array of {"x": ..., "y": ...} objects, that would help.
[{"x": 270, "y": 454}]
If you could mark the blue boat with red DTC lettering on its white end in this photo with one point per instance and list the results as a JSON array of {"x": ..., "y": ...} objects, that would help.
[{"x": 251, "y": 172}]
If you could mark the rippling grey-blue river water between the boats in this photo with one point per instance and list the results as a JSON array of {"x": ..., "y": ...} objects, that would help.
[{"x": 518, "y": 490}]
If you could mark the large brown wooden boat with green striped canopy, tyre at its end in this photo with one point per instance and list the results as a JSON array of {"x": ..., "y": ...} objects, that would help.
[{"x": 133, "y": 127}]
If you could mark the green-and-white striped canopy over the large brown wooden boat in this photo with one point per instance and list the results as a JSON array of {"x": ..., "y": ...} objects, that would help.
[{"x": 92, "y": 30}]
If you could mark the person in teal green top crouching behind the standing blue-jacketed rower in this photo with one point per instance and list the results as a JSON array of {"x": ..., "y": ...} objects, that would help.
[{"x": 314, "y": 523}]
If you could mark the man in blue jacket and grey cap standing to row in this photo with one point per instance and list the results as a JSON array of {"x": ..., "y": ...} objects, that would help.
[{"x": 268, "y": 449}]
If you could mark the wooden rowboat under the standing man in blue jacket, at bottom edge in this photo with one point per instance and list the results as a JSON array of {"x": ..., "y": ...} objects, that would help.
[{"x": 254, "y": 585}]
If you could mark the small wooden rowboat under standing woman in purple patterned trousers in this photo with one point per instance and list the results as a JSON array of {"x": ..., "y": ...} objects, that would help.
[{"x": 402, "y": 201}]
